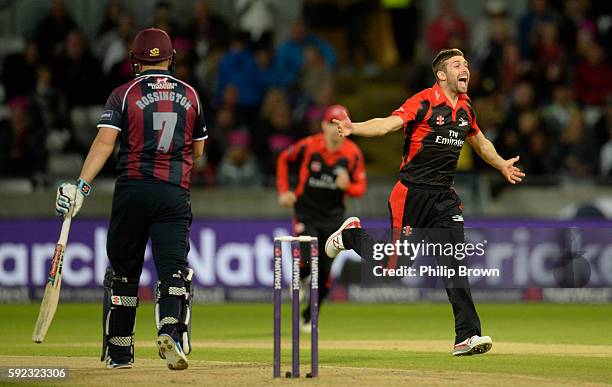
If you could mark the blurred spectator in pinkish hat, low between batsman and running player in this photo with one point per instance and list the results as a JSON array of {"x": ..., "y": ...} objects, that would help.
[{"x": 239, "y": 167}]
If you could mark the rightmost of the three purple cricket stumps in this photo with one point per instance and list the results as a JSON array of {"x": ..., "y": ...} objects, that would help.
[{"x": 314, "y": 308}]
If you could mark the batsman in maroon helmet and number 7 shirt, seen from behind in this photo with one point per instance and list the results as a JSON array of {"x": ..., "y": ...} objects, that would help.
[{"x": 160, "y": 124}]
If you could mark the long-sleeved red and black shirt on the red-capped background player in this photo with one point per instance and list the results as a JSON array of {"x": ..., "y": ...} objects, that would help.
[{"x": 316, "y": 190}]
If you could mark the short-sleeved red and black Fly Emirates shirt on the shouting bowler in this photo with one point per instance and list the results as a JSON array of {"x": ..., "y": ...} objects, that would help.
[{"x": 434, "y": 135}]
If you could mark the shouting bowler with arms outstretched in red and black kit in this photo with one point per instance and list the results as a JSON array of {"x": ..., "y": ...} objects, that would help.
[{"x": 436, "y": 122}]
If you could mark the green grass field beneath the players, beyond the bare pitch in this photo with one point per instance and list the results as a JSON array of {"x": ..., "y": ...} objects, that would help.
[{"x": 550, "y": 343}]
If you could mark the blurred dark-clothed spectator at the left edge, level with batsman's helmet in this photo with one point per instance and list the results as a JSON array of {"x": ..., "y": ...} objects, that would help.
[{"x": 19, "y": 72}]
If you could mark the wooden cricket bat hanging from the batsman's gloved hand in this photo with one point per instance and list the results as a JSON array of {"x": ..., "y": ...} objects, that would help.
[{"x": 52, "y": 289}]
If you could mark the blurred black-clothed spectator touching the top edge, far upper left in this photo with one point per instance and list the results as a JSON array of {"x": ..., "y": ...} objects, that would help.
[{"x": 52, "y": 30}]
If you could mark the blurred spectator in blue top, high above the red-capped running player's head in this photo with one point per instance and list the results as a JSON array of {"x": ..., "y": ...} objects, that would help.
[{"x": 290, "y": 55}]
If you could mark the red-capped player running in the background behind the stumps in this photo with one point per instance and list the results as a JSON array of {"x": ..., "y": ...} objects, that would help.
[{"x": 329, "y": 167}]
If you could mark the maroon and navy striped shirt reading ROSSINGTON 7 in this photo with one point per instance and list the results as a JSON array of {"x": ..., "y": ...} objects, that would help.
[{"x": 159, "y": 118}]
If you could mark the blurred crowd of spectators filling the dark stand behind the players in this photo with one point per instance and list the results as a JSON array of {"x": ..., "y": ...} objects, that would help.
[{"x": 541, "y": 84}]
